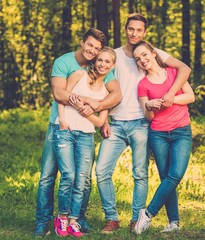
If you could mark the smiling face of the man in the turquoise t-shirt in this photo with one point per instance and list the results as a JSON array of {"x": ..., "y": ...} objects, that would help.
[{"x": 90, "y": 48}]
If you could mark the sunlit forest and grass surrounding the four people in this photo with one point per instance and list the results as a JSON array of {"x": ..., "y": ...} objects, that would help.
[{"x": 35, "y": 32}]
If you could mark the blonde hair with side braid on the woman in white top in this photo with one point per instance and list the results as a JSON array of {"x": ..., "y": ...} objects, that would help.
[{"x": 92, "y": 72}]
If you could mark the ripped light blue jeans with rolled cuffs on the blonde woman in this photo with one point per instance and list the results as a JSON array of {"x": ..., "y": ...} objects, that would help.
[{"x": 75, "y": 153}]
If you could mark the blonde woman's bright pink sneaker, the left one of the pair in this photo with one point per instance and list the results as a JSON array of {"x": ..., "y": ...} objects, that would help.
[{"x": 60, "y": 226}]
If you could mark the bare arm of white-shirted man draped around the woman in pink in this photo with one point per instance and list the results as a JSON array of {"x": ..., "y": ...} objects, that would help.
[{"x": 182, "y": 76}]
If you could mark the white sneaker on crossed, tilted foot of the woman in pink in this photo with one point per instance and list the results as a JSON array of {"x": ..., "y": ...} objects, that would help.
[{"x": 143, "y": 222}]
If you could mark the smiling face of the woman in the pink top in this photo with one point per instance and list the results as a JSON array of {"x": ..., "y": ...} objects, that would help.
[{"x": 144, "y": 57}]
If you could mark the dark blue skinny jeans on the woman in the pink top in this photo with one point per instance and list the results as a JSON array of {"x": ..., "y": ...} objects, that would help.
[{"x": 171, "y": 151}]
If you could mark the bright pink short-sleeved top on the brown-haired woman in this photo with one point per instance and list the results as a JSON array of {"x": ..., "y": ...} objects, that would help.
[{"x": 169, "y": 118}]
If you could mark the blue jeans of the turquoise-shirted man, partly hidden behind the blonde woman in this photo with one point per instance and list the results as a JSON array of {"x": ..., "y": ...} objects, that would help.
[{"x": 45, "y": 195}]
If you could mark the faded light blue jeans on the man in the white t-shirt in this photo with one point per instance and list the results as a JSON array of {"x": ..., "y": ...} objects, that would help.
[{"x": 123, "y": 133}]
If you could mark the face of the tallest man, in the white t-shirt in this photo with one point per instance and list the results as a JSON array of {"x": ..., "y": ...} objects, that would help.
[{"x": 135, "y": 31}]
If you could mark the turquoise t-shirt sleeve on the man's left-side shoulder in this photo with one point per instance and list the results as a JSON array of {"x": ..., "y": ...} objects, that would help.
[{"x": 60, "y": 68}]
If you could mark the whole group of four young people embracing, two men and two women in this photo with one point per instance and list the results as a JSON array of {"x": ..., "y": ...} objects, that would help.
[{"x": 144, "y": 92}]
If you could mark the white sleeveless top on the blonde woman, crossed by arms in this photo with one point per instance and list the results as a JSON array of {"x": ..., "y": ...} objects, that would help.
[{"x": 72, "y": 116}]
